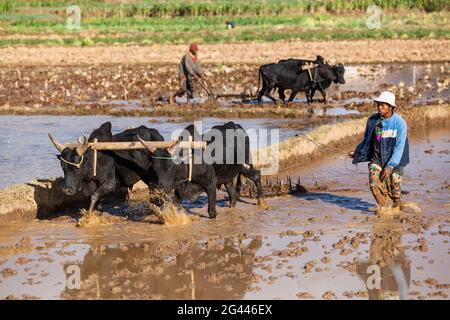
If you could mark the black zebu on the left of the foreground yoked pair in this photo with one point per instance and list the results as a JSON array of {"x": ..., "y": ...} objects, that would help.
[{"x": 115, "y": 169}]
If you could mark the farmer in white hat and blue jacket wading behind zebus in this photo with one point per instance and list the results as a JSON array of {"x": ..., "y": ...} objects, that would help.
[{"x": 385, "y": 146}]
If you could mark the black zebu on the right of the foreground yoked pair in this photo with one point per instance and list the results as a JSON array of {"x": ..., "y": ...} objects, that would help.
[{"x": 207, "y": 175}]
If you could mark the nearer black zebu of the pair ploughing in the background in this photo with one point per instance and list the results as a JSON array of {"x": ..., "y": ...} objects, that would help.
[{"x": 288, "y": 74}]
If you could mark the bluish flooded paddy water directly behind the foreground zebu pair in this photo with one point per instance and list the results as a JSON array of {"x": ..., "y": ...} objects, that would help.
[{"x": 26, "y": 152}]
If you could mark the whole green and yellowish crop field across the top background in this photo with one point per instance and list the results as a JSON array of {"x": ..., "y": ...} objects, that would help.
[{"x": 147, "y": 22}]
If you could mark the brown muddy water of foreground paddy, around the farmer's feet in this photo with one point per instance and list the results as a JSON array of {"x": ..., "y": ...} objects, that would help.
[{"x": 318, "y": 244}]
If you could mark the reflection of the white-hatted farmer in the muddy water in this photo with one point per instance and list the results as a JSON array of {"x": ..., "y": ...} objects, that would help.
[{"x": 386, "y": 252}]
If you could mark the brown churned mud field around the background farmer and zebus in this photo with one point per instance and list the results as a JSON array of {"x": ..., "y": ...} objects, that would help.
[{"x": 143, "y": 90}]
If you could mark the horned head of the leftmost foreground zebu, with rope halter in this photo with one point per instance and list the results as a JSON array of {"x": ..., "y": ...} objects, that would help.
[{"x": 74, "y": 163}]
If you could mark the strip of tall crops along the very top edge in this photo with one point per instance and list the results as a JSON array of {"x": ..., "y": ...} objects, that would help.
[{"x": 174, "y": 8}]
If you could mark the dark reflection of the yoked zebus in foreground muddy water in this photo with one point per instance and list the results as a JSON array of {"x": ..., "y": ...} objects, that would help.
[{"x": 219, "y": 269}]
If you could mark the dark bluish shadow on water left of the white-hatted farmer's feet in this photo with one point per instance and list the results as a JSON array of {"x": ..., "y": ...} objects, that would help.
[{"x": 351, "y": 203}]
